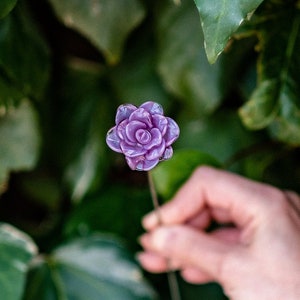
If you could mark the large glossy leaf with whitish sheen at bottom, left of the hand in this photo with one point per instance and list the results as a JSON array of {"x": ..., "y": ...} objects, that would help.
[{"x": 95, "y": 267}]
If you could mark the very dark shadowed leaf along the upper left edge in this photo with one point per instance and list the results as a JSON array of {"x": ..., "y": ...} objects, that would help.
[{"x": 24, "y": 55}]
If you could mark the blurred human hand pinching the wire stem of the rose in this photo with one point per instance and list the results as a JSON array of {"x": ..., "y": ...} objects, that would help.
[{"x": 256, "y": 257}]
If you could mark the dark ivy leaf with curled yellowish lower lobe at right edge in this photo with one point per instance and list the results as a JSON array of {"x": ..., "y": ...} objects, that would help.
[{"x": 275, "y": 101}]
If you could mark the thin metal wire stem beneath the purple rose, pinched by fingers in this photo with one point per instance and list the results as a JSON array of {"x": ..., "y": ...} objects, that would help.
[{"x": 172, "y": 279}]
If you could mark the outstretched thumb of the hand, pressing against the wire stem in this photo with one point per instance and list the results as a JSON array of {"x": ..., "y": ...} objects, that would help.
[{"x": 192, "y": 248}]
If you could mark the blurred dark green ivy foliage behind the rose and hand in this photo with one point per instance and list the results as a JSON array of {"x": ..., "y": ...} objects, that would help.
[{"x": 70, "y": 209}]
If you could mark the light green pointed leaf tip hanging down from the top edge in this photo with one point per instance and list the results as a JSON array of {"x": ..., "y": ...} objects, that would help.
[{"x": 220, "y": 19}]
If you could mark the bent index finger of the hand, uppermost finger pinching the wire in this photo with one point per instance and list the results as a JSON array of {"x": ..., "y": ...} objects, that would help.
[{"x": 242, "y": 199}]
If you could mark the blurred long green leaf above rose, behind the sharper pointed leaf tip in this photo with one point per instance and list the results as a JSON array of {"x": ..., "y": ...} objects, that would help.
[{"x": 182, "y": 63}]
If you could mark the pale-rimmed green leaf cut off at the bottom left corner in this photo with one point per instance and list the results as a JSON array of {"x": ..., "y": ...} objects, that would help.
[{"x": 17, "y": 249}]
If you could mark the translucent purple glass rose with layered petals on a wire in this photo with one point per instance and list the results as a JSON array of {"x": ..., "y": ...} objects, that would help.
[{"x": 143, "y": 134}]
